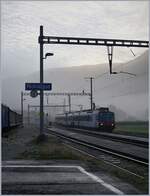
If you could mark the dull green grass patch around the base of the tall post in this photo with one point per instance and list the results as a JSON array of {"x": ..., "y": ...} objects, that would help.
[{"x": 52, "y": 149}]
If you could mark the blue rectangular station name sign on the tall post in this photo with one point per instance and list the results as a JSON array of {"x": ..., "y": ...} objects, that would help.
[{"x": 38, "y": 86}]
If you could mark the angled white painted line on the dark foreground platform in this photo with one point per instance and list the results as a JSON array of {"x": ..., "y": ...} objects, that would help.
[{"x": 81, "y": 169}]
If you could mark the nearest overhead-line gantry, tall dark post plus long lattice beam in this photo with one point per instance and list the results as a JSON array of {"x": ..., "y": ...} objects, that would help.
[{"x": 110, "y": 43}]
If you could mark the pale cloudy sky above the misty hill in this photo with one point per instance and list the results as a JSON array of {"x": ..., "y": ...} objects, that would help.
[{"x": 20, "y": 22}]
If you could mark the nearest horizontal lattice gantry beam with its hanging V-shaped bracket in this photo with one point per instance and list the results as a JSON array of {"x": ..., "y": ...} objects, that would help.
[{"x": 110, "y": 43}]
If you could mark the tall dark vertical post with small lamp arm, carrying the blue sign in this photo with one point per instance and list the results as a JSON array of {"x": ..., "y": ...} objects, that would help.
[{"x": 42, "y": 136}]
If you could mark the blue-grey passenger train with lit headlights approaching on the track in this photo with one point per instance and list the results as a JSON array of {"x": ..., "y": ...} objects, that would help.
[{"x": 99, "y": 119}]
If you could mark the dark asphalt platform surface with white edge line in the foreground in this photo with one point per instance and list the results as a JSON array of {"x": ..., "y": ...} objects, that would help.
[{"x": 25, "y": 177}]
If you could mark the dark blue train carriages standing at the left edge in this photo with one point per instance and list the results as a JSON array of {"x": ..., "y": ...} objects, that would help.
[{"x": 9, "y": 118}]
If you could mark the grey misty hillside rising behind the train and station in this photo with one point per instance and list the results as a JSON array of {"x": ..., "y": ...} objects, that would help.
[{"x": 127, "y": 92}]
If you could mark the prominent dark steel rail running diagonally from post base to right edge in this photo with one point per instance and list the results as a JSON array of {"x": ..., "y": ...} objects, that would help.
[{"x": 103, "y": 149}]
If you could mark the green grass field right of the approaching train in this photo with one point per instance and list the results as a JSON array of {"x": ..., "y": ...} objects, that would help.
[{"x": 132, "y": 128}]
